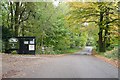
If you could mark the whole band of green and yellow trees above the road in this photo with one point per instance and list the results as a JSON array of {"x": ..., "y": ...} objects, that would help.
[{"x": 63, "y": 26}]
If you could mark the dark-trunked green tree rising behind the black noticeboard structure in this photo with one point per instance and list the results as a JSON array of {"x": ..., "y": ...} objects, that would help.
[{"x": 17, "y": 13}]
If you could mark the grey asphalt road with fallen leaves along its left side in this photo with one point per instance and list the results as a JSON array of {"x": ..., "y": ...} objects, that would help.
[{"x": 67, "y": 66}]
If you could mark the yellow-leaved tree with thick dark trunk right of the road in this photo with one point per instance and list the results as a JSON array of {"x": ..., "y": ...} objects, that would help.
[{"x": 101, "y": 13}]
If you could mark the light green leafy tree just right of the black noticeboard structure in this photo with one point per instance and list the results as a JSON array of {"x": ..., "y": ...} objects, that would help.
[{"x": 48, "y": 25}]
